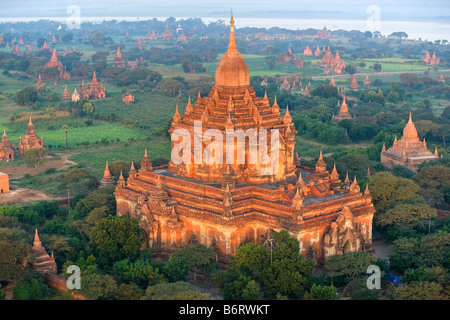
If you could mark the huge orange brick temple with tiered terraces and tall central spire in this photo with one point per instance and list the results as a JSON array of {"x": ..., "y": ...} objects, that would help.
[{"x": 224, "y": 204}]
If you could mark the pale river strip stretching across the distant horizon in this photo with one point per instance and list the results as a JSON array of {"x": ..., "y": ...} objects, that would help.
[{"x": 425, "y": 30}]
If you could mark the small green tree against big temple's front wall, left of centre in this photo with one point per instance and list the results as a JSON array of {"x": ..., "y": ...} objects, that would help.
[{"x": 198, "y": 257}]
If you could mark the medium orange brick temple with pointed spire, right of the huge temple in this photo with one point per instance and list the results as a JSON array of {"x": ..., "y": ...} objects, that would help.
[{"x": 409, "y": 151}]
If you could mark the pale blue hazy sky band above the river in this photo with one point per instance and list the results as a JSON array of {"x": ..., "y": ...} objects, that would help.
[{"x": 312, "y": 9}]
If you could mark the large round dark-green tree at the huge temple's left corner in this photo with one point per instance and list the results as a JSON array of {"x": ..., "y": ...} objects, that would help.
[{"x": 117, "y": 238}]
